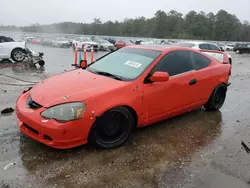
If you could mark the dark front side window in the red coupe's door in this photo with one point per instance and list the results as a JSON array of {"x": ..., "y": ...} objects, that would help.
[{"x": 174, "y": 63}]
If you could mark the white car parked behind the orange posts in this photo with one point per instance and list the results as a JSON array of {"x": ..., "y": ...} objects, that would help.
[{"x": 79, "y": 42}]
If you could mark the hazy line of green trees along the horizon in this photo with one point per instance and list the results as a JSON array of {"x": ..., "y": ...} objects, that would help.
[{"x": 222, "y": 26}]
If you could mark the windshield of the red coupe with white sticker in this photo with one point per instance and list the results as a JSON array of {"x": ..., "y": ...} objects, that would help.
[{"x": 127, "y": 63}]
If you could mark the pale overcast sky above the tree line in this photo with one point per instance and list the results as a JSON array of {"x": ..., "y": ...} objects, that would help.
[{"x": 26, "y": 12}]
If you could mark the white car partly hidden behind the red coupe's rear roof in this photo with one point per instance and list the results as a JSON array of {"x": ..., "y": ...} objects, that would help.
[{"x": 202, "y": 45}]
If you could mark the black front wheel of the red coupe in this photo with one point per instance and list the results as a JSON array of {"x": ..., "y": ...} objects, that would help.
[{"x": 112, "y": 129}]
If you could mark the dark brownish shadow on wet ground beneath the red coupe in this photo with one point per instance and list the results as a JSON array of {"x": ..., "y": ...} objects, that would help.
[{"x": 171, "y": 139}]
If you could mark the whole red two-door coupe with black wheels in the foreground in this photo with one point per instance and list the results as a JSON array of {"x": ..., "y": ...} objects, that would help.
[{"x": 132, "y": 87}]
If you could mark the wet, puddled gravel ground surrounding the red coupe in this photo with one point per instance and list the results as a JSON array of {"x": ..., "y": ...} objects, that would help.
[{"x": 199, "y": 149}]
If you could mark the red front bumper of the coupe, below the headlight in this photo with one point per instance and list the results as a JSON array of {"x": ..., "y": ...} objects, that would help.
[{"x": 50, "y": 132}]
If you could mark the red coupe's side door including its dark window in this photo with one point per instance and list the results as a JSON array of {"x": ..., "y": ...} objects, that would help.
[{"x": 175, "y": 96}]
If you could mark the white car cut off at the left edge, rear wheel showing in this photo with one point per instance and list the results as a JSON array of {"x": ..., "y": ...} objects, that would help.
[{"x": 11, "y": 49}]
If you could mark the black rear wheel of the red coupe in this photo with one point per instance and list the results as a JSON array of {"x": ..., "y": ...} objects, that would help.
[{"x": 217, "y": 98}]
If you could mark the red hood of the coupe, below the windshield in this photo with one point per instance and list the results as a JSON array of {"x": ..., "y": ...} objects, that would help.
[{"x": 76, "y": 85}]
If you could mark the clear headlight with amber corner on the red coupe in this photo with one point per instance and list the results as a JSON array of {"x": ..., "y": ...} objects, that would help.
[{"x": 65, "y": 112}]
